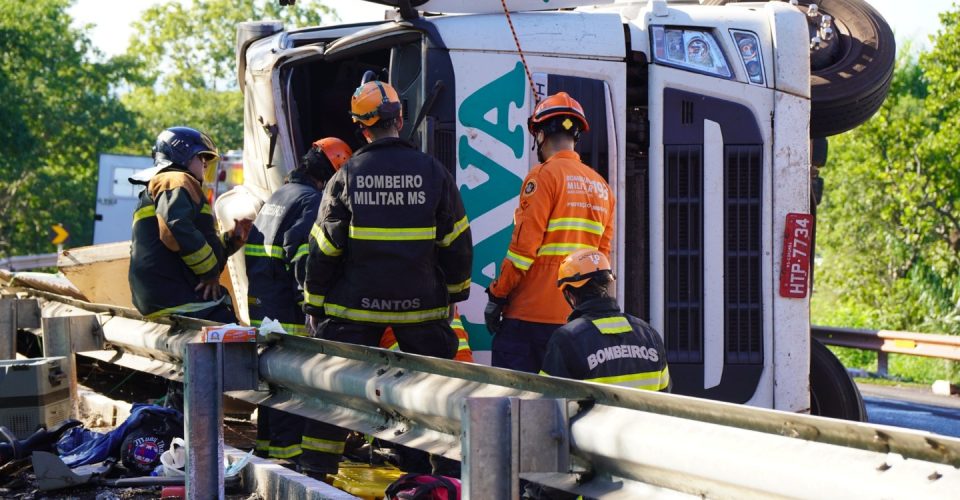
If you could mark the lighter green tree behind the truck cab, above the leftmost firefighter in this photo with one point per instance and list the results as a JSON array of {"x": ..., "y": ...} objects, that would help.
[{"x": 188, "y": 65}]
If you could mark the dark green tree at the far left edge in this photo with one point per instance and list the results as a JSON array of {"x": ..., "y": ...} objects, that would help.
[{"x": 57, "y": 113}]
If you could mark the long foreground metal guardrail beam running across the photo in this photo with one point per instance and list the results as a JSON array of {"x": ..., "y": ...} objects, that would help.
[{"x": 621, "y": 440}]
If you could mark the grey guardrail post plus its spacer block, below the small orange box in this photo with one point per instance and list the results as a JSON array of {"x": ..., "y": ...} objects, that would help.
[{"x": 212, "y": 368}]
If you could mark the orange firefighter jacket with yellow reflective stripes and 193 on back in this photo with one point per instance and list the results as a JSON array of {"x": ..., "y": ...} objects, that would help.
[{"x": 565, "y": 206}]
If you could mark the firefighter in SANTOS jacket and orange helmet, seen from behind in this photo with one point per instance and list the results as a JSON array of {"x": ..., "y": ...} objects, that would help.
[{"x": 391, "y": 246}]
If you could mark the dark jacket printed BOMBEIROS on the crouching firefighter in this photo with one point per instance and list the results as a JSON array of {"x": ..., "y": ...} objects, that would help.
[{"x": 602, "y": 344}]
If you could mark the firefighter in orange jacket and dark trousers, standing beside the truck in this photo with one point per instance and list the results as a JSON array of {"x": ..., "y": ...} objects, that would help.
[{"x": 564, "y": 206}]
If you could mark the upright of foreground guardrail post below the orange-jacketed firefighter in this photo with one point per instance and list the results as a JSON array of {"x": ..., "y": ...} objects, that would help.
[{"x": 489, "y": 449}]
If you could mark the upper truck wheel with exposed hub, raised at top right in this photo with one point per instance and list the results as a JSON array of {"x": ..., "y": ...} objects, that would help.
[{"x": 850, "y": 74}]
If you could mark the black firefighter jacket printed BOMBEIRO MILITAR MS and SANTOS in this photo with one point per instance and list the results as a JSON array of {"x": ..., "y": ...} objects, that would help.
[{"x": 392, "y": 243}]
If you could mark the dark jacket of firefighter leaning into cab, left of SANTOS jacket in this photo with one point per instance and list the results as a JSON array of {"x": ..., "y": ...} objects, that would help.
[{"x": 276, "y": 253}]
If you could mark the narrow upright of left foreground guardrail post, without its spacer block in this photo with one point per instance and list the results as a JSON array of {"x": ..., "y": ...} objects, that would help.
[{"x": 203, "y": 390}]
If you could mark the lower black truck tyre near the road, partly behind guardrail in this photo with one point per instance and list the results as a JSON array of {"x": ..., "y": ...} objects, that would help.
[{"x": 832, "y": 391}]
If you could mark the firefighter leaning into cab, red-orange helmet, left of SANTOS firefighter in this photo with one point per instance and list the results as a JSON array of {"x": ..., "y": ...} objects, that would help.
[{"x": 276, "y": 257}]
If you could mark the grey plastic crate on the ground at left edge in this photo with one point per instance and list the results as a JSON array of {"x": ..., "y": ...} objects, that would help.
[{"x": 33, "y": 392}]
